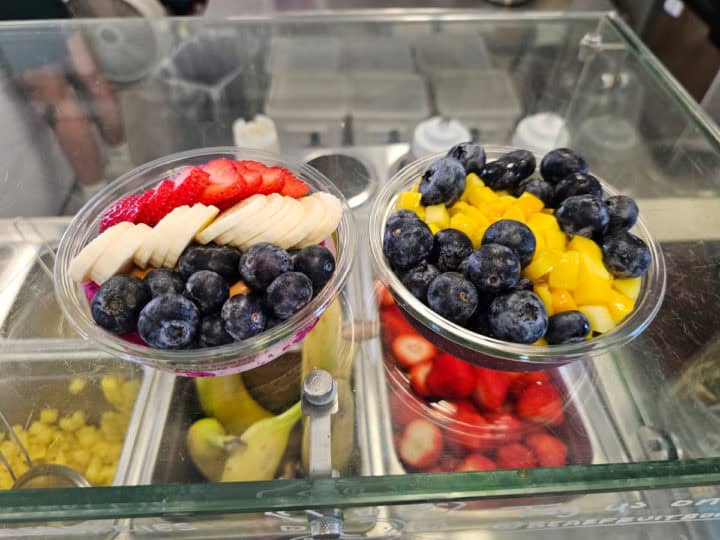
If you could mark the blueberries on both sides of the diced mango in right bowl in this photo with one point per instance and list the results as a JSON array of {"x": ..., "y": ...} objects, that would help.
[{"x": 483, "y": 289}]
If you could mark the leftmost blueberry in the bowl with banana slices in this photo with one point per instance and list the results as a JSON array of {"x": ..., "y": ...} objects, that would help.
[{"x": 117, "y": 303}]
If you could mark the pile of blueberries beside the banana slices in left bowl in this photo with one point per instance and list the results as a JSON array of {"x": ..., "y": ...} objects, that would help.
[{"x": 192, "y": 307}]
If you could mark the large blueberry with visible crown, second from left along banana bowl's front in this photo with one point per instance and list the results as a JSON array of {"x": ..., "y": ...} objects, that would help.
[{"x": 169, "y": 321}]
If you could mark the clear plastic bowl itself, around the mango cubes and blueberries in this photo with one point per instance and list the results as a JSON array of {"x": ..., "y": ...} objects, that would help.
[{"x": 495, "y": 353}]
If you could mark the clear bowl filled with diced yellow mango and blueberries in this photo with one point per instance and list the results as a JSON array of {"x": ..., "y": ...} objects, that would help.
[{"x": 515, "y": 262}]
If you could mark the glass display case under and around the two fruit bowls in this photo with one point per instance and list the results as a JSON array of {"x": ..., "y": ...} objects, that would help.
[{"x": 345, "y": 91}]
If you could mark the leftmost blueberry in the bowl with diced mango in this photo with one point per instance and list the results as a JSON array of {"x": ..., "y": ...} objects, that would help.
[{"x": 407, "y": 243}]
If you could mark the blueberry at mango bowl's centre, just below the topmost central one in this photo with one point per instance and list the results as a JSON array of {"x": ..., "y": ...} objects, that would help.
[{"x": 493, "y": 268}]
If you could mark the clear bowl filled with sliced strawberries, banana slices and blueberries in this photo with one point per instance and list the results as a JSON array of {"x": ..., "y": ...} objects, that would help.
[{"x": 205, "y": 262}]
